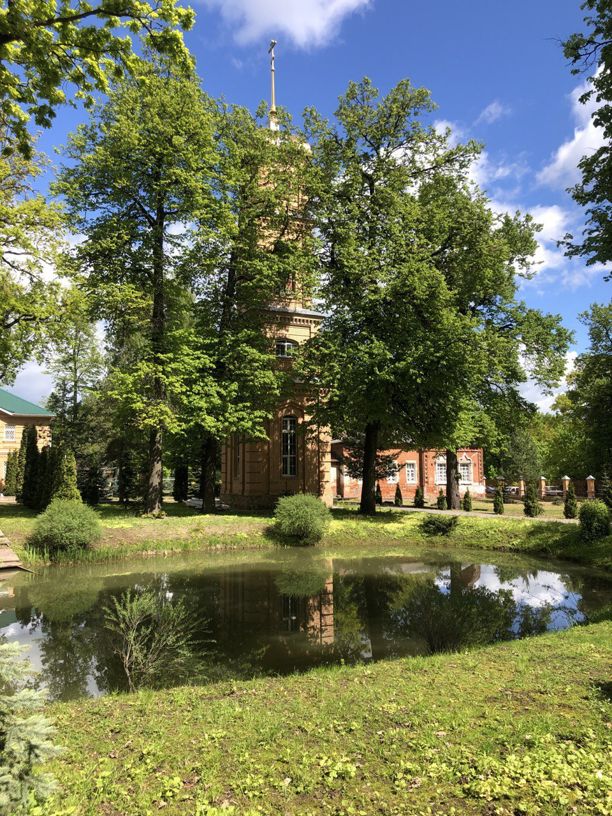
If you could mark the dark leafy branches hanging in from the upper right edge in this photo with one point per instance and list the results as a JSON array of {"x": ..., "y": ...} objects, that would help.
[{"x": 592, "y": 51}]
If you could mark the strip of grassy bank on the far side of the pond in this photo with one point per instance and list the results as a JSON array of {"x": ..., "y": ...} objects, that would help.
[{"x": 127, "y": 534}]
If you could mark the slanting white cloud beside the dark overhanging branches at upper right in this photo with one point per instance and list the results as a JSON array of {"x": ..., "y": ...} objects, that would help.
[{"x": 562, "y": 170}]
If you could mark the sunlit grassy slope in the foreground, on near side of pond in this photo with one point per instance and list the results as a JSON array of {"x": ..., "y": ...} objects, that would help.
[{"x": 519, "y": 727}]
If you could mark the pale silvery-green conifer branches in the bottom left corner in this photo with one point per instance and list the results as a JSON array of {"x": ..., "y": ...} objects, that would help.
[{"x": 26, "y": 736}]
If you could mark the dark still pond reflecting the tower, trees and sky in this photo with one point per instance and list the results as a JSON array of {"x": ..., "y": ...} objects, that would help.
[{"x": 290, "y": 610}]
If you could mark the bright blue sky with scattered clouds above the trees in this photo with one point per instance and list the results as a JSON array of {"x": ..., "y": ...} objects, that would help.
[{"x": 495, "y": 70}]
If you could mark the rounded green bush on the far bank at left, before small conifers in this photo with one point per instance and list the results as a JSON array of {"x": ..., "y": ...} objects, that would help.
[{"x": 64, "y": 526}]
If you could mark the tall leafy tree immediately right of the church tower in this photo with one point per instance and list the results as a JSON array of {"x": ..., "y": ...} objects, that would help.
[{"x": 385, "y": 372}]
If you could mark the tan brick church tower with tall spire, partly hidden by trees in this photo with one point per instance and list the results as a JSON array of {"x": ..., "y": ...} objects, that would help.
[{"x": 295, "y": 458}]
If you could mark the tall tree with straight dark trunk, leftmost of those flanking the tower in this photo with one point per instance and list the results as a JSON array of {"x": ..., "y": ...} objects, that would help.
[{"x": 138, "y": 180}]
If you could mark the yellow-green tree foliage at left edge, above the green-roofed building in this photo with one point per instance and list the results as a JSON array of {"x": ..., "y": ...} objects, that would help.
[{"x": 30, "y": 236}]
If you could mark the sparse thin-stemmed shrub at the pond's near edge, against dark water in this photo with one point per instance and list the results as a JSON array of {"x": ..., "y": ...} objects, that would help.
[{"x": 154, "y": 638}]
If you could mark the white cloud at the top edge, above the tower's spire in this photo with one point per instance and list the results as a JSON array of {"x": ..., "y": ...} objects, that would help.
[{"x": 307, "y": 23}]
